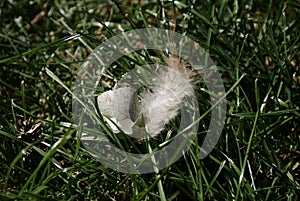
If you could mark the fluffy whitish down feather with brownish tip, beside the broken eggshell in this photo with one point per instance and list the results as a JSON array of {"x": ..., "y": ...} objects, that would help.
[{"x": 162, "y": 101}]
